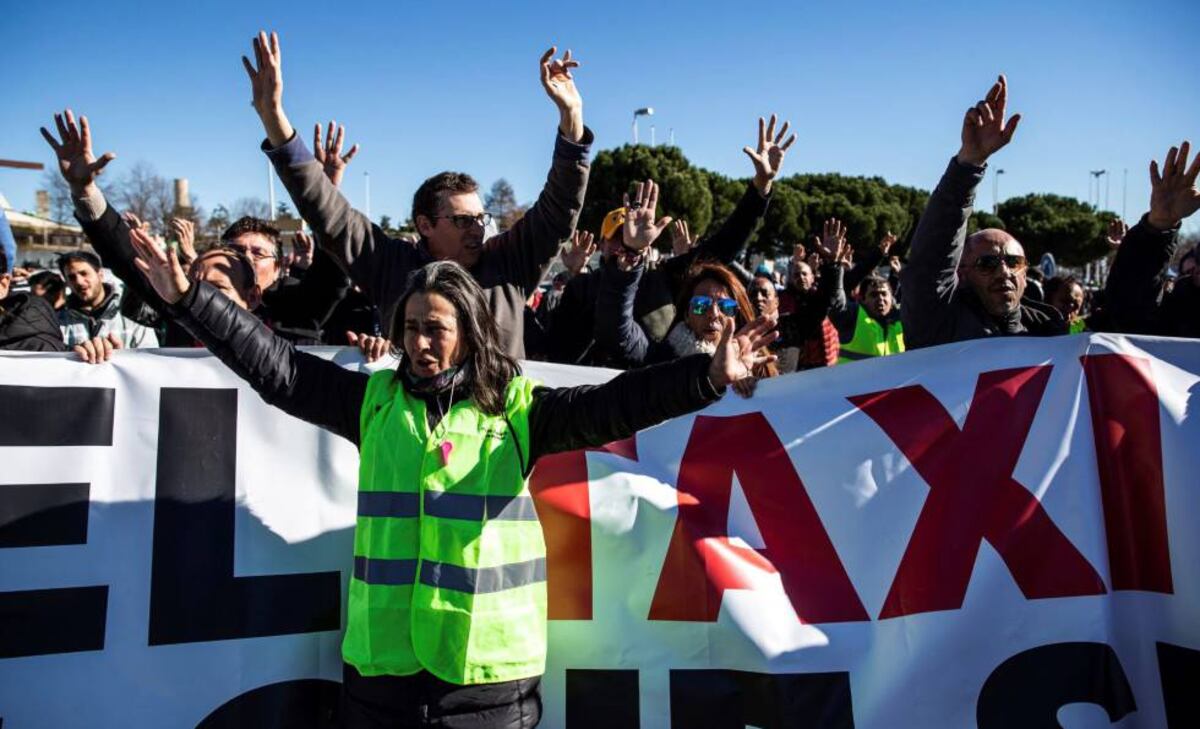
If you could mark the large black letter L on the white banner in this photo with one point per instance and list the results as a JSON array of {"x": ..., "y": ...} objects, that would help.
[{"x": 194, "y": 594}]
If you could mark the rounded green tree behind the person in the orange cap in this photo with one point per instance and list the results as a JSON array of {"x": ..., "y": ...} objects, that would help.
[{"x": 683, "y": 190}]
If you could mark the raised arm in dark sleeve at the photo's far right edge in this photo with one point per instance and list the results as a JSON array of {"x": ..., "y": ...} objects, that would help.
[{"x": 1139, "y": 272}]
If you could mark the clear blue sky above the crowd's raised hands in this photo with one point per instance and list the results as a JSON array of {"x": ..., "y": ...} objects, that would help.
[{"x": 872, "y": 88}]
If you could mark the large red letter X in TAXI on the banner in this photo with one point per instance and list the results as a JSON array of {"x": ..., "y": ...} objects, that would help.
[{"x": 974, "y": 496}]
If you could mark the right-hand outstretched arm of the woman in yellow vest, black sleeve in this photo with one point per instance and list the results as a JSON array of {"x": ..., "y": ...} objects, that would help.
[{"x": 592, "y": 415}]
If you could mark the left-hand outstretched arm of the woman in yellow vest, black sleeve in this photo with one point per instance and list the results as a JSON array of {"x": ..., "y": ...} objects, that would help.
[{"x": 301, "y": 384}]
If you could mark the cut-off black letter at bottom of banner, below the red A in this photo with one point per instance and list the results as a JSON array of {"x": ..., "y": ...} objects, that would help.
[{"x": 731, "y": 700}]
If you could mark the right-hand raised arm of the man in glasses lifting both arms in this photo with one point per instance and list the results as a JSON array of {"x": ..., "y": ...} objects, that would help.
[{"x": 523, "y": 252}]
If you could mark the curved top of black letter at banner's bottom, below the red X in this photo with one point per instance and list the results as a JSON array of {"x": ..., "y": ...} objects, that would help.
[{"x": 1030, "y": 689}]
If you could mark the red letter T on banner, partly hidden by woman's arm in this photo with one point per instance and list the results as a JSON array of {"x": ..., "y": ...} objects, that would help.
[{"x": 560, "y": 487}]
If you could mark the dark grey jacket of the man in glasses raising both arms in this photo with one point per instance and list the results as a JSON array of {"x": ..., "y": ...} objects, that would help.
[{"x": 509, "y": 269}]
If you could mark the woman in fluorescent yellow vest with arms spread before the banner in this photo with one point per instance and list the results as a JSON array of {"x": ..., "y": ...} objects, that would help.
[{"x": 447, "y": 611}]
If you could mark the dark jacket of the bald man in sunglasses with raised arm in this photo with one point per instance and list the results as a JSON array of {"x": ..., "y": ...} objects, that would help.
[{"x": 937, "y": 310}]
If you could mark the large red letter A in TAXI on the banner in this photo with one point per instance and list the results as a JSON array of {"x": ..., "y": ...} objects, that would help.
[{"x": 701, "y": 561}]
